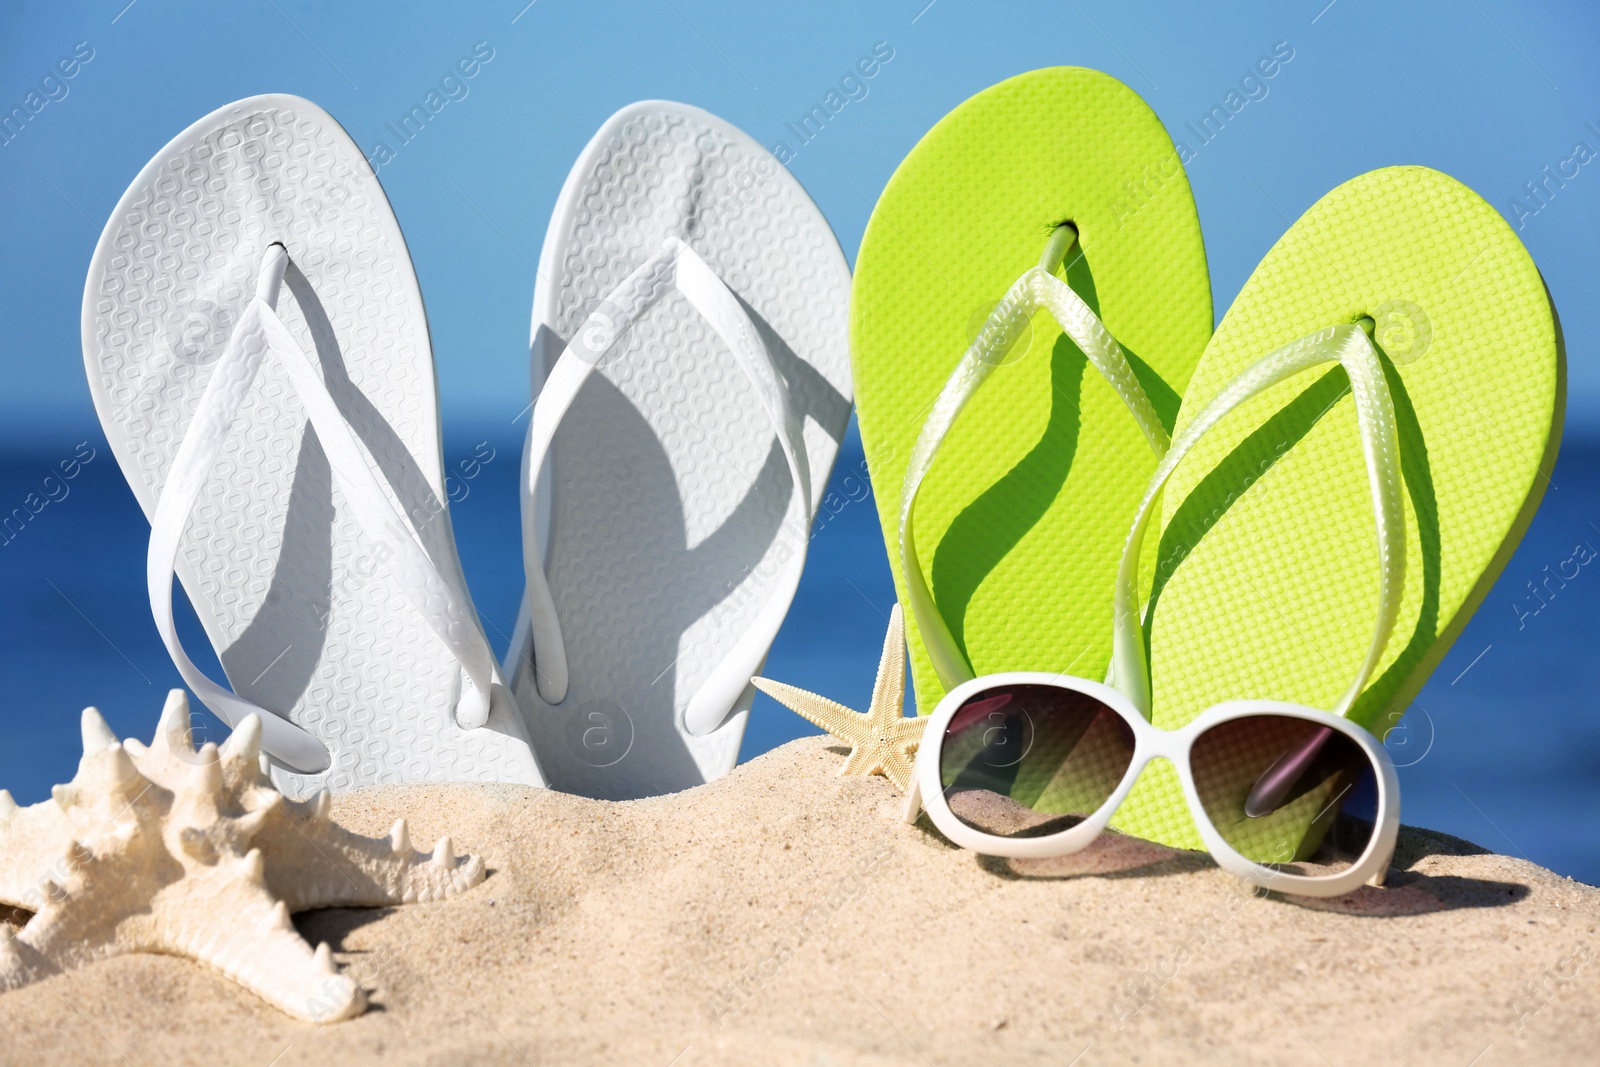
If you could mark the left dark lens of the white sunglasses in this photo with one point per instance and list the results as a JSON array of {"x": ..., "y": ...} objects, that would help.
[{"x": 1030, "y": 761}]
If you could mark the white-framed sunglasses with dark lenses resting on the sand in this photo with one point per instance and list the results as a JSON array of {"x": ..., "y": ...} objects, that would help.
[{"x": 1033, "y": 765}]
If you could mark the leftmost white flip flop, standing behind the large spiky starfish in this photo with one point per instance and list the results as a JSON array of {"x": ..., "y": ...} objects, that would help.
[{"x": 287, "y": 454}]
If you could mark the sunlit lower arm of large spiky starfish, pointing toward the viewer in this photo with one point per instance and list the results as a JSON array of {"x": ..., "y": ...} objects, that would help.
[{"x": 247, "y": 935}]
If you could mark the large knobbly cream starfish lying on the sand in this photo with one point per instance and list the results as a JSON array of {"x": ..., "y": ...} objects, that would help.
[{"x": 162, "y": 849}]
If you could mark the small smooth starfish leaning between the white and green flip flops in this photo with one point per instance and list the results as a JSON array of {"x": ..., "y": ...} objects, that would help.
[{"x": 884, "y": 741}]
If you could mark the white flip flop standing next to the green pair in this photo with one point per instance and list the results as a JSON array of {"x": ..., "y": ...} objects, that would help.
[{"x": 690, "y": 342}]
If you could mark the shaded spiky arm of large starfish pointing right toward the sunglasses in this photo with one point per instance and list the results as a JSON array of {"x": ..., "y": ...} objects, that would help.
[{"x": 316, "y": 863}]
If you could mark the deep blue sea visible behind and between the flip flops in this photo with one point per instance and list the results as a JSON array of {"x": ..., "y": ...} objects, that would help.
[{"x": 1502, "y": 748}]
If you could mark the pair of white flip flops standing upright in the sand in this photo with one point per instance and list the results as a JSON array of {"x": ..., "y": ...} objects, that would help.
[{"x": 260, "y": 361}]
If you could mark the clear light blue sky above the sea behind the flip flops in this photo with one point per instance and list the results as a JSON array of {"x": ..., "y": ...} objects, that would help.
[{"x": 1486, "y": 90}]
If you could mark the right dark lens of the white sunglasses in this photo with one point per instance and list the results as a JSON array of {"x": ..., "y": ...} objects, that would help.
[{"x": 1287, "y": 793}]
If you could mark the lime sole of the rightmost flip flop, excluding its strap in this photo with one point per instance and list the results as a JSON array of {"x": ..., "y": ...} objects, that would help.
[{"x": 1268, "y": 580}]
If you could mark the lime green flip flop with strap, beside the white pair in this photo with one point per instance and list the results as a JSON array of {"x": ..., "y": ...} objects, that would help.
[{"x": 1022, "y": 519}]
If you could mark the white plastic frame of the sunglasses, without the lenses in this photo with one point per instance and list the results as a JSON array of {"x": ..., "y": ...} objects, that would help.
[{"x": 927, "y": 791}]
